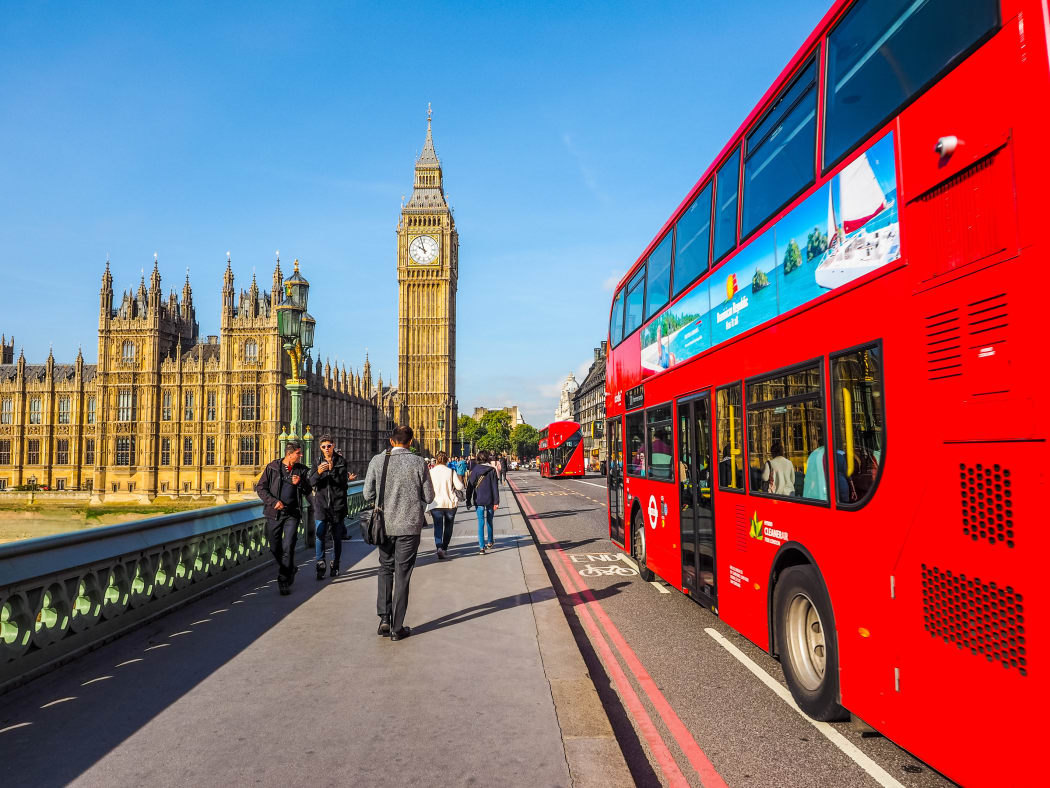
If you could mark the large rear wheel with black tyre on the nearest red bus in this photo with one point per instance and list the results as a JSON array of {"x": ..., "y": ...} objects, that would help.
[{"x": 805, "y": 631}]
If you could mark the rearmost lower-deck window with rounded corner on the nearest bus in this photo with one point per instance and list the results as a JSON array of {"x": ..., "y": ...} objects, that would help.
[{"x": 857, "y": 417}]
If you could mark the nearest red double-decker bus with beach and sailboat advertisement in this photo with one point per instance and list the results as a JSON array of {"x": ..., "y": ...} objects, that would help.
[{"x": 860, "y": 263}]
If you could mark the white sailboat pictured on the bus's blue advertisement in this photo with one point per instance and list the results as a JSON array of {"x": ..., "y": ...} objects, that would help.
[{"x": 853, "y": 251}]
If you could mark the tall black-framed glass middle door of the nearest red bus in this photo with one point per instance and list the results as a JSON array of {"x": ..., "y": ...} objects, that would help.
[{"x": 697, "y": 503}]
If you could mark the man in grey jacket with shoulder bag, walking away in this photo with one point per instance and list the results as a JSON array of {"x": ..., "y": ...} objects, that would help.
[{"x": 408, "y": 492}]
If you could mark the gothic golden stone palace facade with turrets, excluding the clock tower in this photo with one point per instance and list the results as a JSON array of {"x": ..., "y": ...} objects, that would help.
[{"x": 164, "y": 413}]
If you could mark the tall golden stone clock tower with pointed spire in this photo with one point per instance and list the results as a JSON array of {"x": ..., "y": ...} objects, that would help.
[{"x": 428, "y": 269}]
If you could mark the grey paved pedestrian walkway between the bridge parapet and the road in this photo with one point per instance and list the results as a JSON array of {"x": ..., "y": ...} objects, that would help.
[{"x": 249, "y": 688}]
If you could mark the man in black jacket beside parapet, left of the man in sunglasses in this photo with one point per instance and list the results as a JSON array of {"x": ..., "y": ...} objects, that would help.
[{"x": 280, "y": 488}]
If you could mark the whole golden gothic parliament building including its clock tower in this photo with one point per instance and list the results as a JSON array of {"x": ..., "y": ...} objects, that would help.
[{"x": 165, "y": 412}]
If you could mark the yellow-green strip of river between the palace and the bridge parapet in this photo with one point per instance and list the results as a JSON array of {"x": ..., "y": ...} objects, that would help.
[{"x": 27, "y": 522}]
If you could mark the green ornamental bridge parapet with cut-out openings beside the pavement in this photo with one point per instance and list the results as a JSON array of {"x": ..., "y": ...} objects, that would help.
[{"x": 64, "y": 595}]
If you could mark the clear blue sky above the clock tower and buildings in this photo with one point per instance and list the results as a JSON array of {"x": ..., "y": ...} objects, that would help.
[{"x": 569, "y": 134}]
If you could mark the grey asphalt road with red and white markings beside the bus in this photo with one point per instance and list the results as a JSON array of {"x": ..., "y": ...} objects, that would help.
[{"x": 685, "y": 708}]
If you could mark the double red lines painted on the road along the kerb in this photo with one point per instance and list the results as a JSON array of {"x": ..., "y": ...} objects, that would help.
[{"x": 700, "y": 761}]
